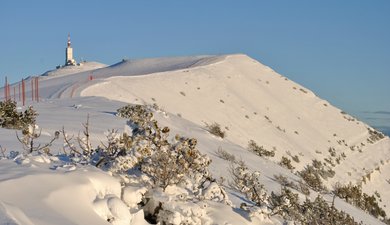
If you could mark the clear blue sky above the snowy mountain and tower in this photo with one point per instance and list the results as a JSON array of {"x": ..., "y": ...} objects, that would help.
[{"x": 340, "y": 49}]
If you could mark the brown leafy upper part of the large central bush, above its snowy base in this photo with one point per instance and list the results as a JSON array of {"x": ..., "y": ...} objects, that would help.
[{"x": 148, "y": 149}]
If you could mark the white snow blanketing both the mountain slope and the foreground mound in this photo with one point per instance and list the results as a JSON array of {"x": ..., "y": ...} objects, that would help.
[{"x": 249, "y": 100}]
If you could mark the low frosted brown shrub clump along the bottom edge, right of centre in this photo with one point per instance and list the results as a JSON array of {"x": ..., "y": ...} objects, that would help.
[{"x": 286, "y": 204}]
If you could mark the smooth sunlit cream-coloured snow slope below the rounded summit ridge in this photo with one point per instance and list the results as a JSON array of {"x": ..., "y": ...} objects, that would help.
[{"x": 253, "y": 102}]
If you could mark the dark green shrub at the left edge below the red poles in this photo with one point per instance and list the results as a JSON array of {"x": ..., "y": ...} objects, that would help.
[{"x": 12, "y": 119}]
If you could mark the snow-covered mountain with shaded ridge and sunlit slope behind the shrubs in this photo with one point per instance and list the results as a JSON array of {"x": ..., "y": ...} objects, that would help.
[{"x": 248, "y": 99}]
